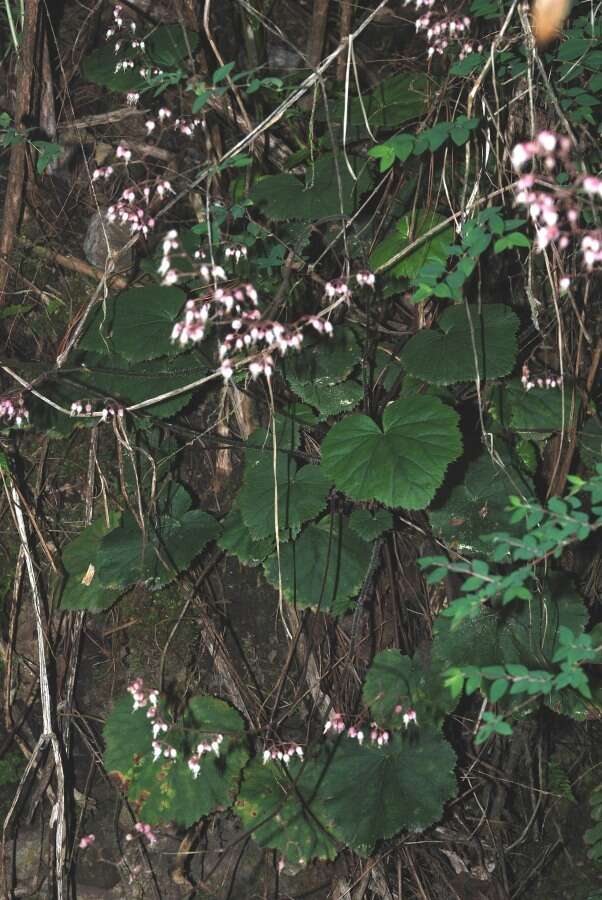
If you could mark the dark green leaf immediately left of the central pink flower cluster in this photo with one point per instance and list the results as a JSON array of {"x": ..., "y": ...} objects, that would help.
[{"x": 136, "y": 324}]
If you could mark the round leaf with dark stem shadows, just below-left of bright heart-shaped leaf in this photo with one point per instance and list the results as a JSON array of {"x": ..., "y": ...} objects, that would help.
[{"x": 323, "y": 568}]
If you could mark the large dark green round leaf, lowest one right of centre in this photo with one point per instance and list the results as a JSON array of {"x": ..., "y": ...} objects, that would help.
[{"x": 372, "y": 793}]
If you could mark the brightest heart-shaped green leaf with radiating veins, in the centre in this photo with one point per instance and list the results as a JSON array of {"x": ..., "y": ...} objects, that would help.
[{"x": 402, "y": 465}]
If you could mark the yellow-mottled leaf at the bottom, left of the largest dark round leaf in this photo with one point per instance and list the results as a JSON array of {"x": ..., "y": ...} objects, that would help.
[{"x": 278, "y": 804}]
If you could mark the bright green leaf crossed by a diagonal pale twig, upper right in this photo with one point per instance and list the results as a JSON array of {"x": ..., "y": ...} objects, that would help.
[{"x": 399, "y": 239}]
